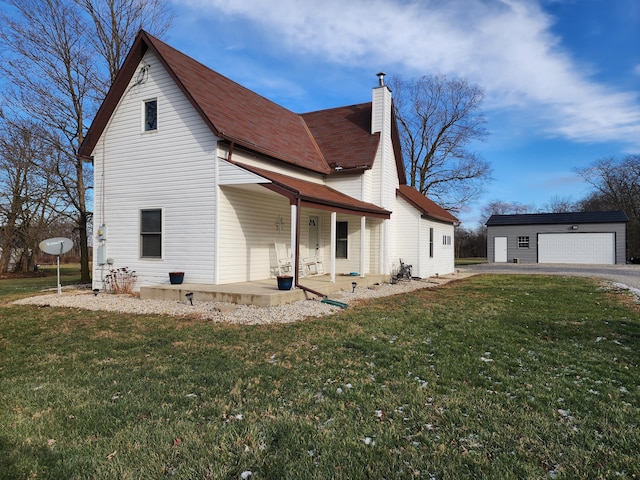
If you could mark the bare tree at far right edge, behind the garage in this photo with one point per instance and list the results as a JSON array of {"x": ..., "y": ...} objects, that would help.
[{"x": 616, "y": 186}]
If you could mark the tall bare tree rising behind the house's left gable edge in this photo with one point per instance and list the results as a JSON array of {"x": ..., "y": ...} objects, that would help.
[{"x": 60, "y": 56}]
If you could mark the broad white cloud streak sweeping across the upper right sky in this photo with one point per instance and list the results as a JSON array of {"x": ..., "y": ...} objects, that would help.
[{"x": 504, "y": 45}]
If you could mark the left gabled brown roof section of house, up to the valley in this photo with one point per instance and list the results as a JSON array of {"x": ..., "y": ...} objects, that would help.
[{"x": 231, "y": 111}]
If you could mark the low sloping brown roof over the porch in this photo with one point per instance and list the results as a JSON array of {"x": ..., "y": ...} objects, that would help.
[{"x": 316, "y": 195}]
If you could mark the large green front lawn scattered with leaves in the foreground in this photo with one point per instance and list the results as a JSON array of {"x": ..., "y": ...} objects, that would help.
[{"x": 491, "y": 377}]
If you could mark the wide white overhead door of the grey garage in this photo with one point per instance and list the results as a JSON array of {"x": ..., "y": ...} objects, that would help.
[{"x": 594, "y": 248}]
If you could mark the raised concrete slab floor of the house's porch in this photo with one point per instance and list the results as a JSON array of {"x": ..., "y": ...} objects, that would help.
[{"x": 262, "y": 293}]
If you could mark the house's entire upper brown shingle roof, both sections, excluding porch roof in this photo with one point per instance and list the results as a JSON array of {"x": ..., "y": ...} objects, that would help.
[{"x": 316, "y": 141}]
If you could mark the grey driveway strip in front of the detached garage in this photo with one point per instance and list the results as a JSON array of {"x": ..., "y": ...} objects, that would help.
[{"x": 626, "y": 274}]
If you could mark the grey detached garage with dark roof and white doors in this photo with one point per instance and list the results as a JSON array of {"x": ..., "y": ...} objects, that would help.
[{"x": 581, "y": 237}]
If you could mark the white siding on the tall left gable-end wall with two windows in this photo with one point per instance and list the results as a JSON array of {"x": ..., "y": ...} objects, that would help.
[{"x": 171, "y": 168}]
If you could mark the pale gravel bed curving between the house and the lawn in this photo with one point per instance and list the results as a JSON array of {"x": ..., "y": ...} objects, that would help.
[{"x": 224, "y": 312}]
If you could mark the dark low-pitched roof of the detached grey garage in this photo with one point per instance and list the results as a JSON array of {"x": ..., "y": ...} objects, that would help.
[{"x": 617, "y": 216}]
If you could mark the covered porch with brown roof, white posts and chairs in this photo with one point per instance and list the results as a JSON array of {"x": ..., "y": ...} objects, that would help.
[{"x": 272, "y": 224}]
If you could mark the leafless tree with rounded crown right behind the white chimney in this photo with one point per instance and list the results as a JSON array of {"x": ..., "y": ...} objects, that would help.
[{"x": 439, "y": 118}]
